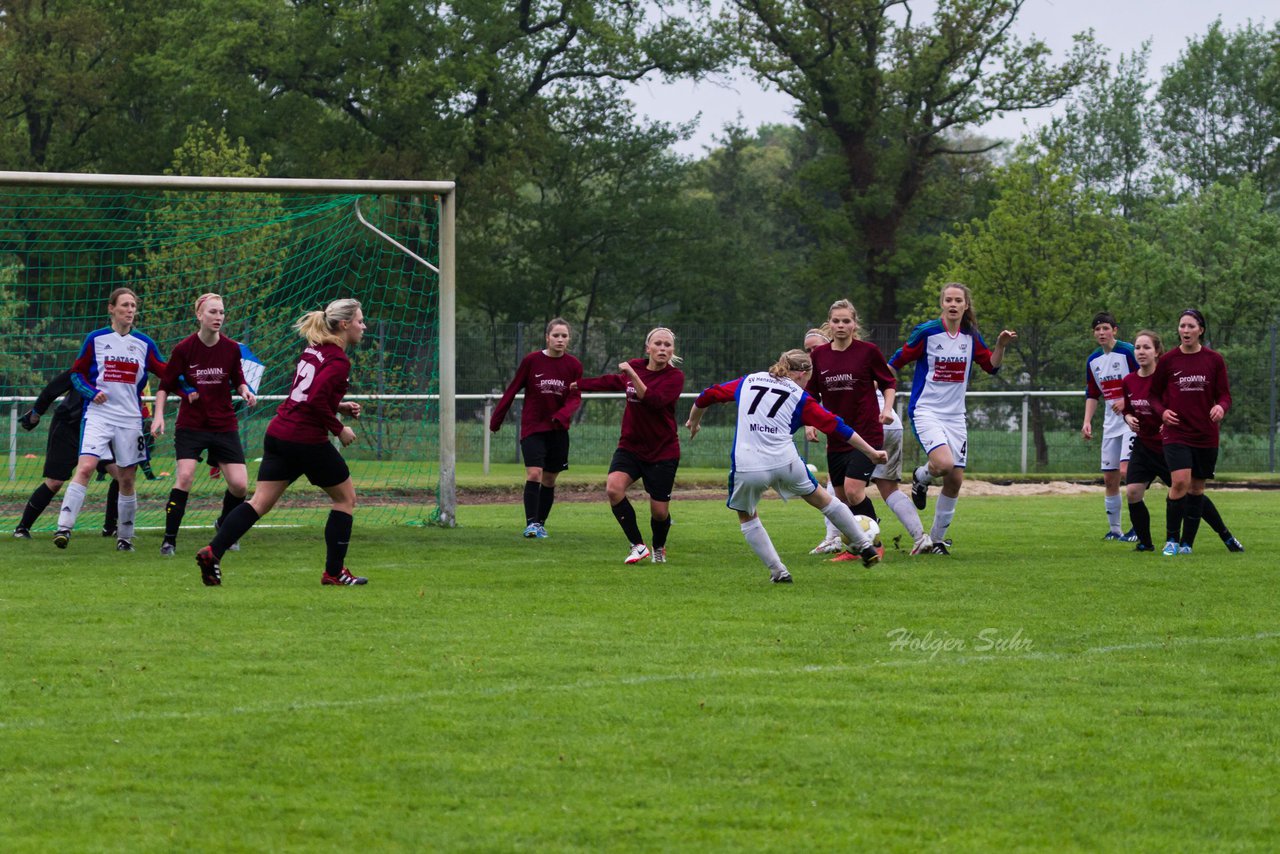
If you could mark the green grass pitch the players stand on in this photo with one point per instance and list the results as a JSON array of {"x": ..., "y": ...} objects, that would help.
[{"x": 1039, "y": 689}]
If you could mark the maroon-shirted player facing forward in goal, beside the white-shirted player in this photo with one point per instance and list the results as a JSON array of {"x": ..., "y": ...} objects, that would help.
[{"x": 211, "y": 364}]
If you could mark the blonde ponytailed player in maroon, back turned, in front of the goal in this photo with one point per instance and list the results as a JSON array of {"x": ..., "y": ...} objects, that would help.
[{"x": 298, "y": 444}]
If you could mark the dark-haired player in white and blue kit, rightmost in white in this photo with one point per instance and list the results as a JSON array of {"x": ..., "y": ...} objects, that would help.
[{"x": 1104, "y": 380}]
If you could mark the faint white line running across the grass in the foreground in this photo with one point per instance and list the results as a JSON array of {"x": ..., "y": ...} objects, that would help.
[{"x": 588, "y": 686}]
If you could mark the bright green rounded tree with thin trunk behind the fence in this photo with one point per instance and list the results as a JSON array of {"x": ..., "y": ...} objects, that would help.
[{"x": 1037, "y": 264}]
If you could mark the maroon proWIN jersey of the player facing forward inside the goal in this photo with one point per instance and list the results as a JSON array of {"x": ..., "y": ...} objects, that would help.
[{"x": 214, "y": 372}]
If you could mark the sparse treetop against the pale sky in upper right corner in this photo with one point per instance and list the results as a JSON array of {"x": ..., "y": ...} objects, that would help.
[{"x": 1219, "y": 109}]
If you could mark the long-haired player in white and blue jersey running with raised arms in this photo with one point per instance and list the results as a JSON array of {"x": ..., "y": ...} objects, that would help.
[{"x": 944, "y": 353}]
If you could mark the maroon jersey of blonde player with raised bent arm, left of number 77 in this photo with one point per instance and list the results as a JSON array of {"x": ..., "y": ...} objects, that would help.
[{"x": 648, "y": 424}]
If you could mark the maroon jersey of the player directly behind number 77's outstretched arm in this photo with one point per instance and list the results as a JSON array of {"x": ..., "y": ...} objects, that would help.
[{"x": 845, "y": 383}]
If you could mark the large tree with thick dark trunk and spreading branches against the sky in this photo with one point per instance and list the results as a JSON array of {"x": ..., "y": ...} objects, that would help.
[{"x": 894, "y": 95}]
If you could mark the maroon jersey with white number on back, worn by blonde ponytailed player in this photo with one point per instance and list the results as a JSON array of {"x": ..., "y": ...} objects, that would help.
[{"x": 321, "y": 381}]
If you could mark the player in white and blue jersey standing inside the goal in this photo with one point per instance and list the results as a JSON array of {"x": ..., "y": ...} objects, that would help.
[{"x": 109, "y": 375}]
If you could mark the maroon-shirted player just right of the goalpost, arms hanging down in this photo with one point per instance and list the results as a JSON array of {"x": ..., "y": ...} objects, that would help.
[{"x": 547, "y": 380}]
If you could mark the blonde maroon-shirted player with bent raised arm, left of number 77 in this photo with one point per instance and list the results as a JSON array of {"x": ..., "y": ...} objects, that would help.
[{"x": 650, "y": 447}]
